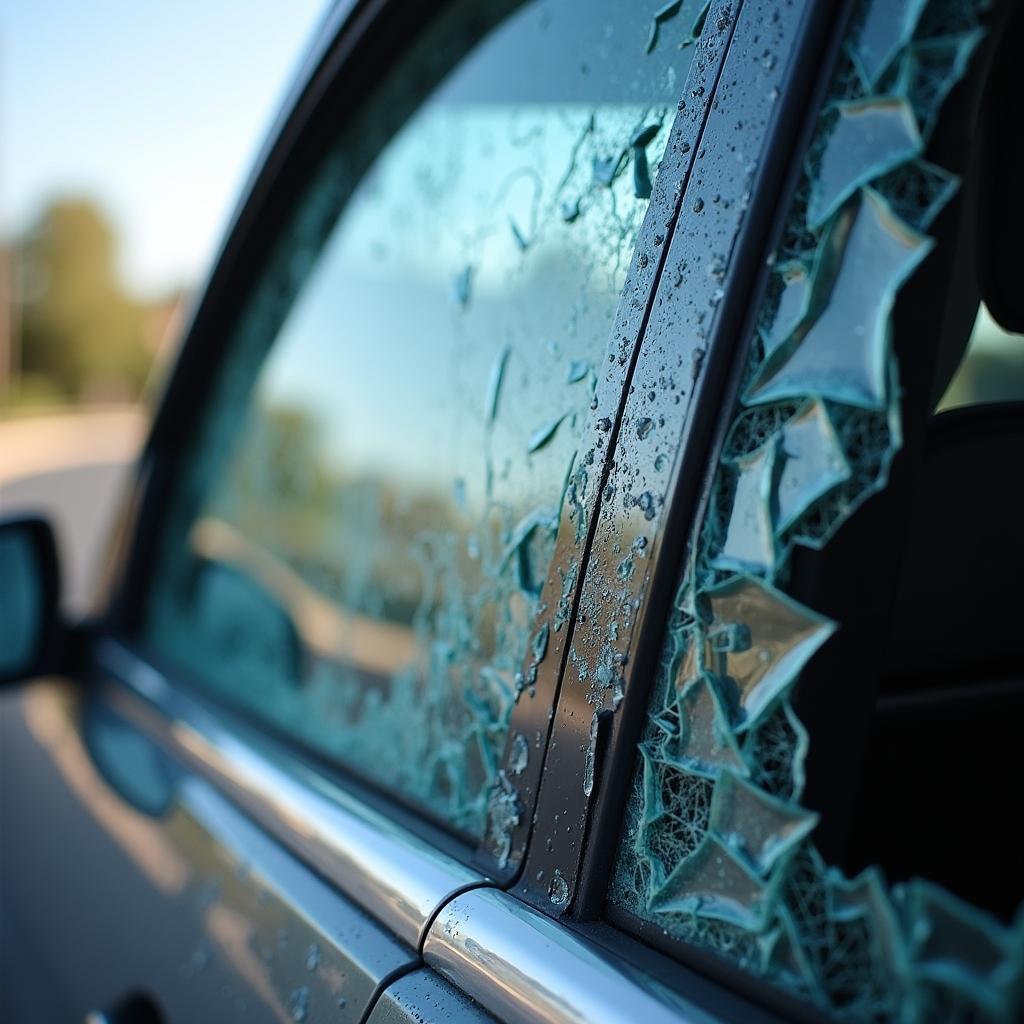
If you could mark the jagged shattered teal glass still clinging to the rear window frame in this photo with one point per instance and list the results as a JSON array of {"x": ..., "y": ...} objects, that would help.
[{"x": 717, "y": 849}]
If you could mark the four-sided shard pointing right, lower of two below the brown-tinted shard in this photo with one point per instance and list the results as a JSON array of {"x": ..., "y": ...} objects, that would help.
[{"x": 757, "y": 827}]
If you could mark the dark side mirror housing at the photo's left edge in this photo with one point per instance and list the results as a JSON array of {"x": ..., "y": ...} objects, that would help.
[{"x": 30, "y": 588}]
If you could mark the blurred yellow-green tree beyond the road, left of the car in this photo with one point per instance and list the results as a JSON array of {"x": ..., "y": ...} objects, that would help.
[{"x": 80, "y": 332}]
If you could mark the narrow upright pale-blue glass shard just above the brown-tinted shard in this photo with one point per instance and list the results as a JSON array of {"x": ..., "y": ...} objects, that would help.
[{"x": 750, "y": 540}]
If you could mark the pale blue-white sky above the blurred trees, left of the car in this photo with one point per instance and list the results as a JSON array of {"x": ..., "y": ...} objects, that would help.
[{"x": 155, "y": 110}]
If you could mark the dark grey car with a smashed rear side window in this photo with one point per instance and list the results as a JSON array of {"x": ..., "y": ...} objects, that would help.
[{"x": 574, "y": 571}]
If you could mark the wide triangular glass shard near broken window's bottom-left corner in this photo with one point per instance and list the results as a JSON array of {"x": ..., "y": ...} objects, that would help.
[{"x": 713, "y": 883}]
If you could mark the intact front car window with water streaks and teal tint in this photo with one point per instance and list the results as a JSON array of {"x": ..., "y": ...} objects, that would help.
[{"x": 366, "y": 515}]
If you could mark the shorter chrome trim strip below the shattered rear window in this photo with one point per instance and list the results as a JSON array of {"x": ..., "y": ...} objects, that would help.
[{"x": 525, "y": 968}]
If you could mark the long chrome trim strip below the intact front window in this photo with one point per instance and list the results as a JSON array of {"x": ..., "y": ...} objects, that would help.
[{"x": 396, "y": 877}]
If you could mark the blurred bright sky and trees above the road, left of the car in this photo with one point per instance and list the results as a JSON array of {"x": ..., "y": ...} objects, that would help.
[{"x": 126, "y": 134}]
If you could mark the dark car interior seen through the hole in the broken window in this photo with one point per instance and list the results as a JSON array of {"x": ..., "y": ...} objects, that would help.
[{"x": 915, "y": 706}]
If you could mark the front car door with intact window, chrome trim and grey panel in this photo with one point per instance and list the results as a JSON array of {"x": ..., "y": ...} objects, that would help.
[{"x": 292, "y": 737}]
